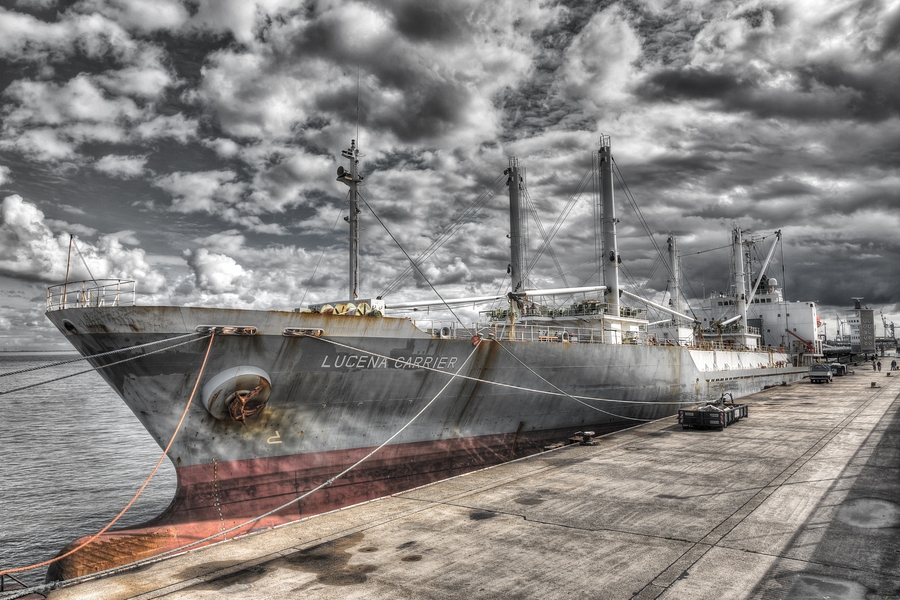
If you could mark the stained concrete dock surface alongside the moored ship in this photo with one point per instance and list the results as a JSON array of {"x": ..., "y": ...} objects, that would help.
[{"x": 799, "y": 500}]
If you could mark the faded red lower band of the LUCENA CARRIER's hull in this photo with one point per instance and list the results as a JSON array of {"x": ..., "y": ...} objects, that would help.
[{"x": 216, "y": 496}]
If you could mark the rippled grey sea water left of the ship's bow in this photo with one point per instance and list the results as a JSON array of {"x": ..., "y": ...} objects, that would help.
[{"x": 71, "y": 457}]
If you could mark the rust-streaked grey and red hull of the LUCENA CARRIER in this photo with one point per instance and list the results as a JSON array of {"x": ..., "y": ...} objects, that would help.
[{"x": 454, "y": 405}]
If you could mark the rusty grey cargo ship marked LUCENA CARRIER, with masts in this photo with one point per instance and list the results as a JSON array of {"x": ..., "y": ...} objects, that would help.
[{"x": 288, "y": 400}]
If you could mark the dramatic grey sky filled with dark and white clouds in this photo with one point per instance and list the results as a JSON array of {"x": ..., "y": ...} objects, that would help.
[{"x": 192, "y": 146}]
